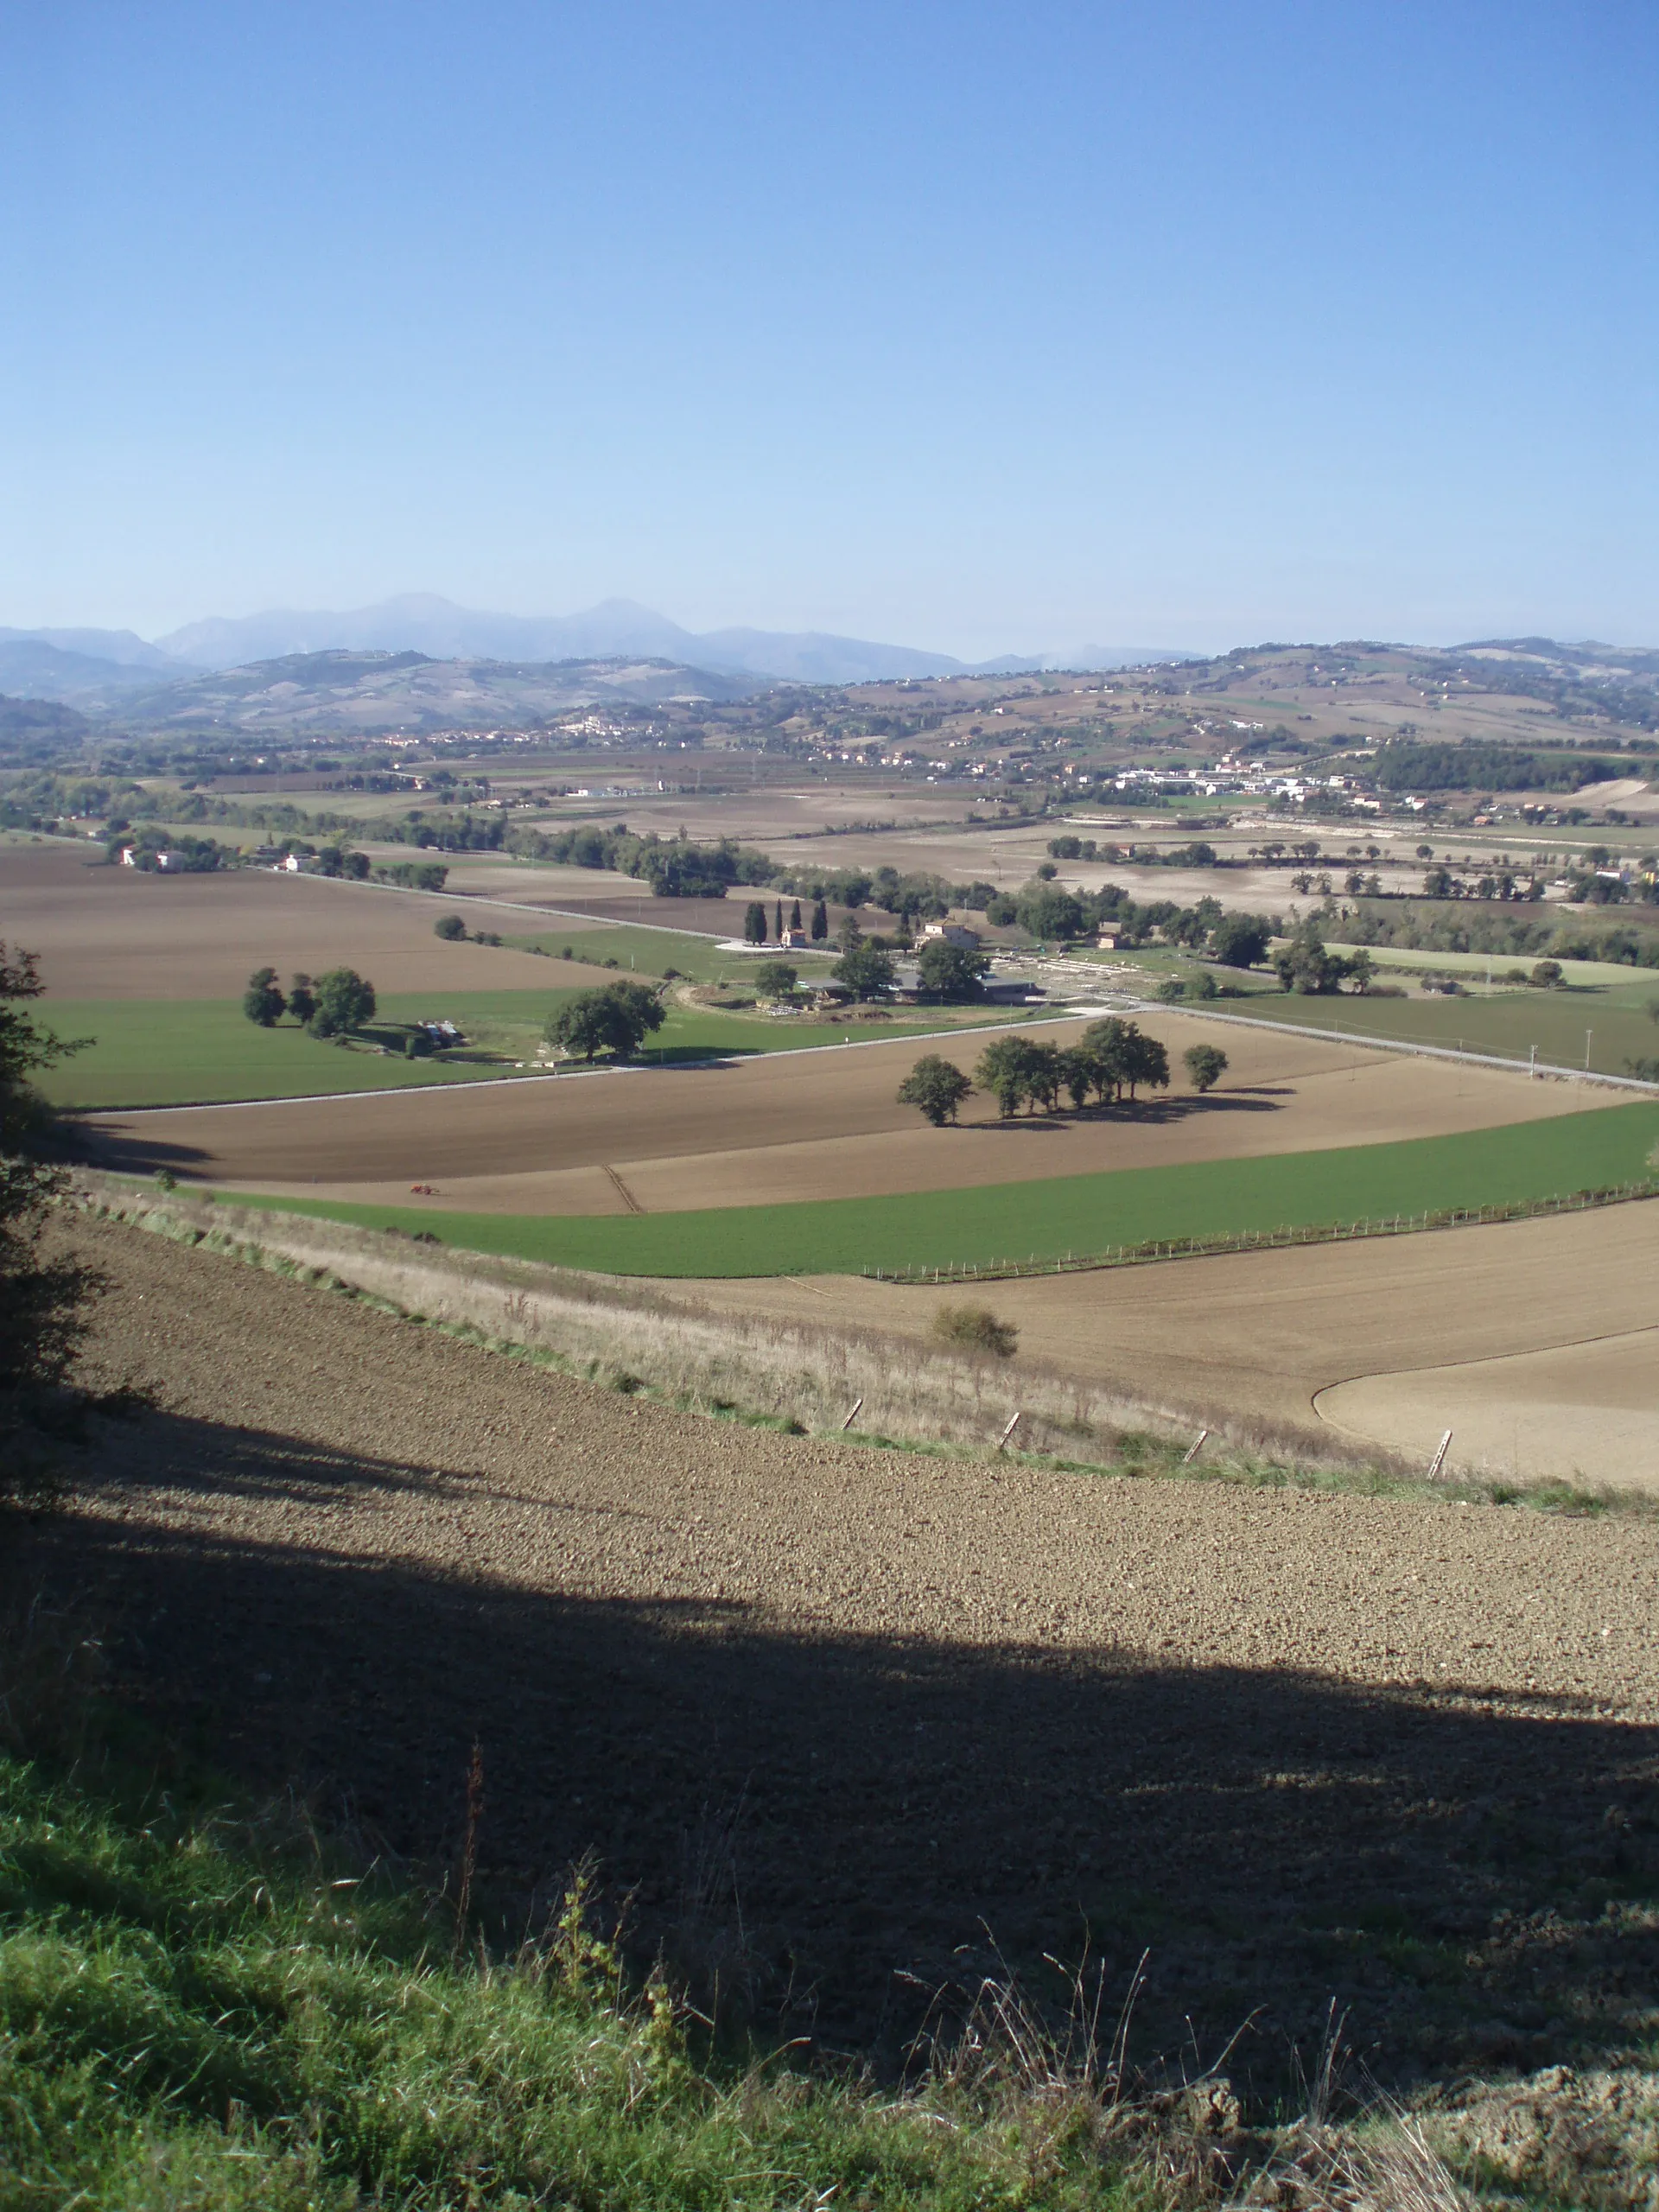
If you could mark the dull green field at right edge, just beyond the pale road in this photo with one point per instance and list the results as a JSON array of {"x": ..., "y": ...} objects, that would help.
[{"x": 1510, "y": 1023}]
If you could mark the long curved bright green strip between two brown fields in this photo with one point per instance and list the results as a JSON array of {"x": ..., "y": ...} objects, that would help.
[{"x": 1076, "y": 1213}]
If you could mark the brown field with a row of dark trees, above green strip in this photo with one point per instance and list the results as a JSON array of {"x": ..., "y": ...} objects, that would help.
[{"x": 806, "y": 1127}]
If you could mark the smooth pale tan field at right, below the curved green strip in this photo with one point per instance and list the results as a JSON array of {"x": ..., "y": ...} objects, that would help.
[{"x": 1534, "y": 1342}]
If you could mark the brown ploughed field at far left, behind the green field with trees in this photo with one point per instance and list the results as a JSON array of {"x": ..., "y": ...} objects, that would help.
[{"x": 123, "y": 932}]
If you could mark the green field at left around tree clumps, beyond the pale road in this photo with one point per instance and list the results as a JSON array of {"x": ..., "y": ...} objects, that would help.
[{"x": 205, "y": 1052}]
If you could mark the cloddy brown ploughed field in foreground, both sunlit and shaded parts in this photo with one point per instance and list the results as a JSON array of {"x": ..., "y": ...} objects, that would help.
[{"x": 831, "y": 1718}]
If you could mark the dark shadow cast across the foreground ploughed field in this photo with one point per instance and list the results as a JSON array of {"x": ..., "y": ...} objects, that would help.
[{"x": 822, "y": 1817}]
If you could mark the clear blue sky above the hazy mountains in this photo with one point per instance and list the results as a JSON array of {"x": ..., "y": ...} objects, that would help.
[{"x": 952, "y": 324}]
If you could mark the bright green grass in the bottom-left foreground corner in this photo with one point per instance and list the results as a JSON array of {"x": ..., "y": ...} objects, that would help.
[{"x": 200, "y": 2012}]
